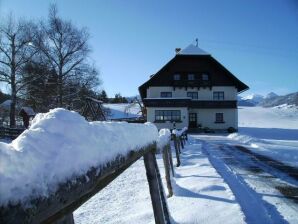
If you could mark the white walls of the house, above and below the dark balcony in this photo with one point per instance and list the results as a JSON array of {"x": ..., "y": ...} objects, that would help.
[{"x": 205, "y": 118}]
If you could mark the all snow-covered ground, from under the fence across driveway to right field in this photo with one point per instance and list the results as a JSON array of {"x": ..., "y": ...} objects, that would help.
[{"x": 215, "y": 183}]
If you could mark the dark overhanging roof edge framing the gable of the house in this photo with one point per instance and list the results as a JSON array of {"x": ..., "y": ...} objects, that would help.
[{"x": 197, "y": 57}]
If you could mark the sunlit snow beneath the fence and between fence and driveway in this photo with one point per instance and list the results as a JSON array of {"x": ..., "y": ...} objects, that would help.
[{"x": 199, "y": 194}]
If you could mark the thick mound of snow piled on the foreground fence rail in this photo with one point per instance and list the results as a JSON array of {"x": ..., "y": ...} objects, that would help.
[{"x": 60, "y": 145}]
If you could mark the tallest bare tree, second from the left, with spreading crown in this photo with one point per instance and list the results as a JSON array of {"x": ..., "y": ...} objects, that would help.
[{"x": 65, "y": 47}]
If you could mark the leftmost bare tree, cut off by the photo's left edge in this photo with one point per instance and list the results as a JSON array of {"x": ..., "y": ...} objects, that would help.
[{"x": 16, "y": 50}]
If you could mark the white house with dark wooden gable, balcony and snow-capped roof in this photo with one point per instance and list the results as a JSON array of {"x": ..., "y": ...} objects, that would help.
[{"x": 193, "y": 90}]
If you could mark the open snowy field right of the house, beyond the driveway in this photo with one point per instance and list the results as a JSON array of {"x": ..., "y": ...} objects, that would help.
[{"x": 270, "y": 131}]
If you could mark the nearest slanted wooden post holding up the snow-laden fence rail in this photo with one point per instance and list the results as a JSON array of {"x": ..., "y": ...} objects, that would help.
[{"x": 154, "y": 186}]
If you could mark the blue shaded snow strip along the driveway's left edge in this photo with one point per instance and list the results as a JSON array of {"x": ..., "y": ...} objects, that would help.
[{"x": 253, "y": 206}]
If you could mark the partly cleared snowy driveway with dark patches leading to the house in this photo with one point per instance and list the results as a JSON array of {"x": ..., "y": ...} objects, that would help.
[{"x": 260, "y": 191}]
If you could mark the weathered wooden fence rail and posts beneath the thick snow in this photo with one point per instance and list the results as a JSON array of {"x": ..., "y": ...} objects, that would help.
[{"x": 58, "y": 208}]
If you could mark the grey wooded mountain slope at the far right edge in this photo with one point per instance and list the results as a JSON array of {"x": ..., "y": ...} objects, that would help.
[{"x": 290, "y": 99}]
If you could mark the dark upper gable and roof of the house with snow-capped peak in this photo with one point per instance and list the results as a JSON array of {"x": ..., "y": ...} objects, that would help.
[{"x": 189, "y": 62}]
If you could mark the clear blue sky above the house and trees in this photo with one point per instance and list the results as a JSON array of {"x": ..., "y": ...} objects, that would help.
[{"x": 256, "y": 40}]
